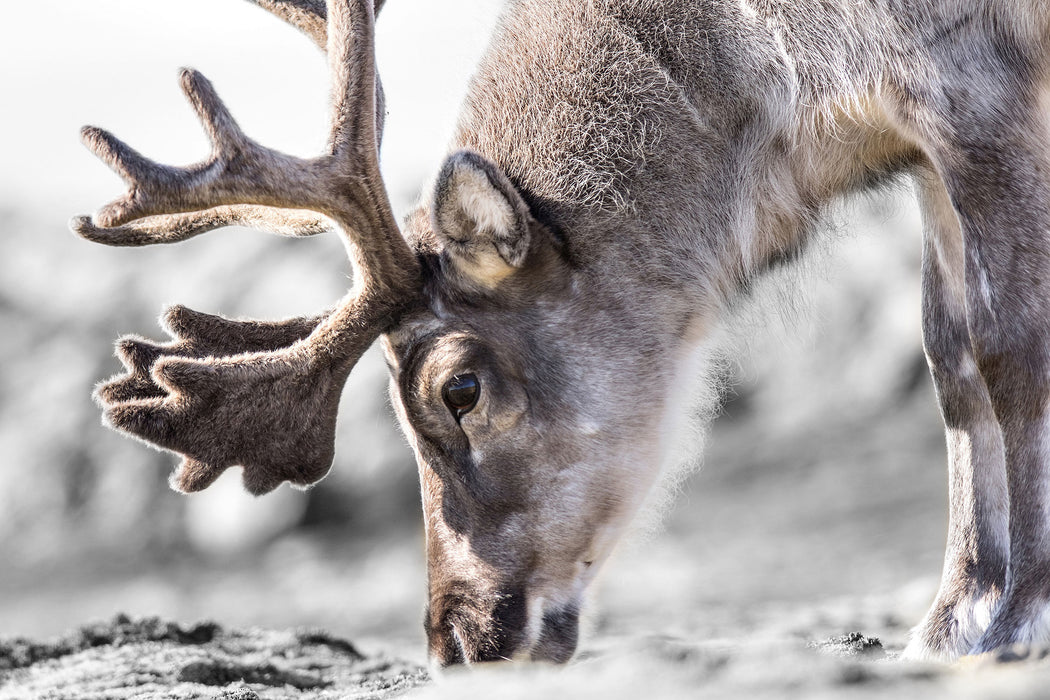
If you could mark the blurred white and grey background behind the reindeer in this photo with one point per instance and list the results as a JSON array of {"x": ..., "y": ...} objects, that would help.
[{"x": 823, "y": 480}]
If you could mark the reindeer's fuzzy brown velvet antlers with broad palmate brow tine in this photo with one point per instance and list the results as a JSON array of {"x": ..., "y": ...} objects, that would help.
[{"x": 263, "y": 396}]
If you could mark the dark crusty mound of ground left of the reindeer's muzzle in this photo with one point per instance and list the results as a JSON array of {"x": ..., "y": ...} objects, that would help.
[{"x": 150, "y": 659}]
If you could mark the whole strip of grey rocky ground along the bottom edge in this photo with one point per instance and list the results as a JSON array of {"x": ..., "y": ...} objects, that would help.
[{"x": 152, "y": 659}]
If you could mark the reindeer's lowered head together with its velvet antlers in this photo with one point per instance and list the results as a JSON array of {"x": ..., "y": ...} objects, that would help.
[{"x": 523, "y": 389}]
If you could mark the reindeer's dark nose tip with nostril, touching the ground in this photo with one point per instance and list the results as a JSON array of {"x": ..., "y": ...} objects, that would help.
[{"x": 472, "y": 629}]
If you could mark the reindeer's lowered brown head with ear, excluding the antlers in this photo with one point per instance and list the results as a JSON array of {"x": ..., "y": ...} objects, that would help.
[{"x": 517, "y": 399}]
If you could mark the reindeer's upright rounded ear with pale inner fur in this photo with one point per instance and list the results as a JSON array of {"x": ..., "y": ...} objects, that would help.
[{"x": 481, "y": 220}]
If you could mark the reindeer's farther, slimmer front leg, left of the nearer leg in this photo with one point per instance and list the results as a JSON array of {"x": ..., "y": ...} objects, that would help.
[{"x": 978, "y": 548}]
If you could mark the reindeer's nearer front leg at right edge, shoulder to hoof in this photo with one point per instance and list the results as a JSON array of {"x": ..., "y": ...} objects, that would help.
[{"x": 994, "y": 153}]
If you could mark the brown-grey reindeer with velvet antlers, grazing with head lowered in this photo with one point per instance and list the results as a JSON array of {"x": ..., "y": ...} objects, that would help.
[{"x": 622, "y": 173}]
